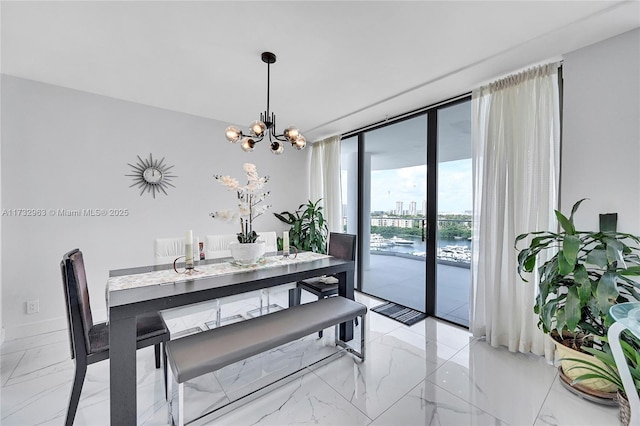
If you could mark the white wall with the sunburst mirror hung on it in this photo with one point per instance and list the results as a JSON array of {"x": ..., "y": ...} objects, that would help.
[{"x": 65, "y": 149}]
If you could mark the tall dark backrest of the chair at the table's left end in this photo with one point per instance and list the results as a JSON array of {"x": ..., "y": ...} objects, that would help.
[{"x": 76, "y": 292}]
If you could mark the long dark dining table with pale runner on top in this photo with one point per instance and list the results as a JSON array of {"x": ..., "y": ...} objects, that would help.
[{"x": 139, "y": 290}]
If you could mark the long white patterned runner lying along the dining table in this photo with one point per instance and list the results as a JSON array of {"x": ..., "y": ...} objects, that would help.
[{"x": 169, "y": 276}]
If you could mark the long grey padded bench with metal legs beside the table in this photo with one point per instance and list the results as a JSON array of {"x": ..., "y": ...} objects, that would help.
[{"x": 198, "y": 354}]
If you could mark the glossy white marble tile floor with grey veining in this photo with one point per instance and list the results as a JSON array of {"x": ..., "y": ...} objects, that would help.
[{"x": 432, "y": 373}]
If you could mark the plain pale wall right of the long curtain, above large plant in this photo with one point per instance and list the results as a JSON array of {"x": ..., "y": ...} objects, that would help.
[{"x": 601, "y": 134}]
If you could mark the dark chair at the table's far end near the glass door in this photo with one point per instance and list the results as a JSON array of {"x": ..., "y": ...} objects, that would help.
[{"x": 342, "y": 246}]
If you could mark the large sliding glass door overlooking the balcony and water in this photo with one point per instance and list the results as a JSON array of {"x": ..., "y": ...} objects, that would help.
[{"x": 407, "y": 195}]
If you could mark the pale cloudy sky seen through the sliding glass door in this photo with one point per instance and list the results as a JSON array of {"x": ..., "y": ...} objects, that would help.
[{"x": 409, "y": 184}]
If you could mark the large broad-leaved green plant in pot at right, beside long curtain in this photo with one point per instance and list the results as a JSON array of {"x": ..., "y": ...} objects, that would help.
[{"x": 586, "y": 274}]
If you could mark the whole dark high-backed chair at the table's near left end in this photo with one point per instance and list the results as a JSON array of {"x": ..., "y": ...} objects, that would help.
[{"x": 89, "y": 341}]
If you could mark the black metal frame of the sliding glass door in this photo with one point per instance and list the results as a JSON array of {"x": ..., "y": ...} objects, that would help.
[{"x": 431, "y": 213}]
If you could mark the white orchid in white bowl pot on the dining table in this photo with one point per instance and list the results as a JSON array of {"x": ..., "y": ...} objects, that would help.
[{"x": 248, "y": 249}]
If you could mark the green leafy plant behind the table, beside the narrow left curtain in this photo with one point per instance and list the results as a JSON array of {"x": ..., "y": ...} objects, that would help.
[{"x": 308, "y": 227}]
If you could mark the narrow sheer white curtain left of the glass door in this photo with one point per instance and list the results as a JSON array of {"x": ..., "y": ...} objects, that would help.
[{"x": 325, "y": 180}]
